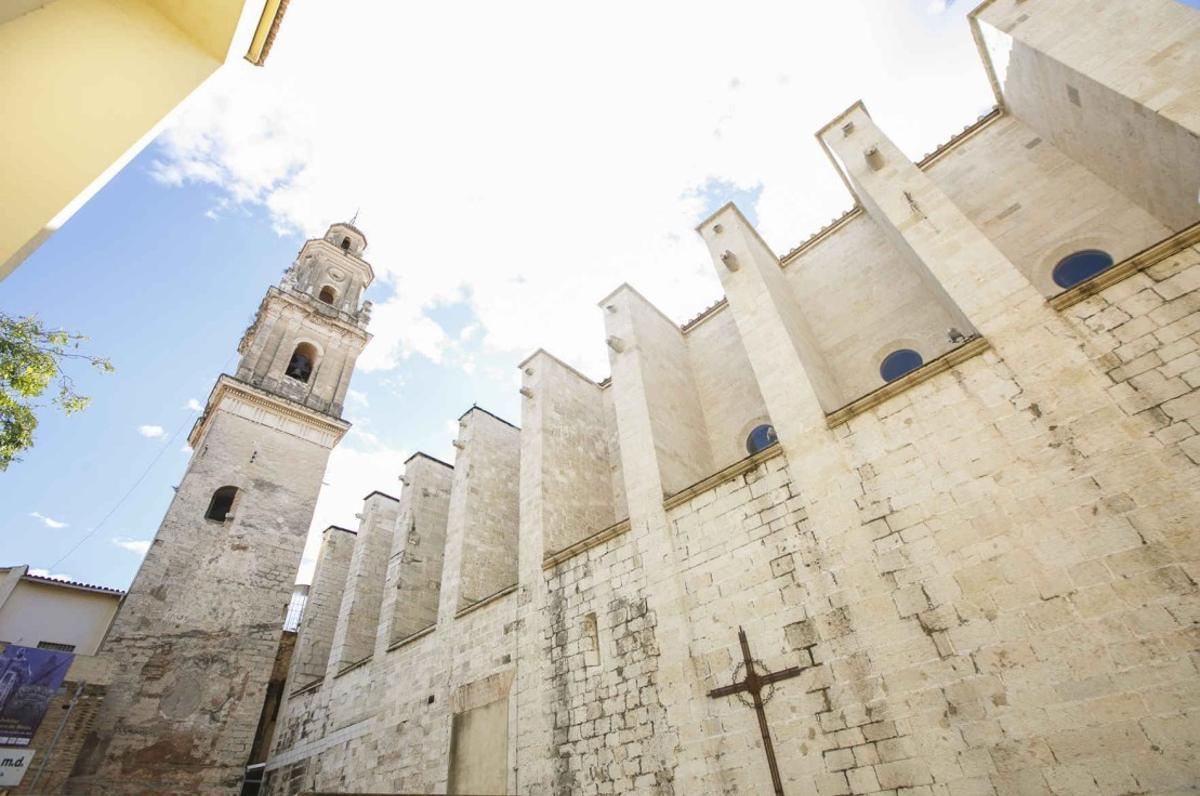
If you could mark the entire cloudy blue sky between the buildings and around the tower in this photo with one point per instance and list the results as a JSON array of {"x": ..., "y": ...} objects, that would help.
[{"x": 511, "y": 165}]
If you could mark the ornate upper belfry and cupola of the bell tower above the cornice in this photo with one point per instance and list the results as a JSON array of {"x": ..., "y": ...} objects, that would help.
[{"x": 310, "y": 331}]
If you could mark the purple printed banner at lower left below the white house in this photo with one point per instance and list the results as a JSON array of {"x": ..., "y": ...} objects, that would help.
[{"x": 29, "y": 680}]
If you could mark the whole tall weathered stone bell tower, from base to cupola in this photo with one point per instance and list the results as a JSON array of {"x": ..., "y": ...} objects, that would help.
[{"x": 197, "y": 633}]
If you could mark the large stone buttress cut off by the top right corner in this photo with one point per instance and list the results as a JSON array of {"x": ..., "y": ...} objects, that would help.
[{"x": 1112, "y": 86}]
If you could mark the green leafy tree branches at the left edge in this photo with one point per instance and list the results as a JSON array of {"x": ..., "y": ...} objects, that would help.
[{"x": 32, "y": 360}]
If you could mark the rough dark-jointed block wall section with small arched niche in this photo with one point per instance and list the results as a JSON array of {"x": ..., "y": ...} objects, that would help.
[{"x": 602, "y": 677}]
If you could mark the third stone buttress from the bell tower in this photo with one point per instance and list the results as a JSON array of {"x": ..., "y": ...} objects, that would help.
[{"x": 415, "y": 568}]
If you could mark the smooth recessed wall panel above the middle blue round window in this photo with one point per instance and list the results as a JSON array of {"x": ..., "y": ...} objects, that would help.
[{"x": 865, "y": 300}]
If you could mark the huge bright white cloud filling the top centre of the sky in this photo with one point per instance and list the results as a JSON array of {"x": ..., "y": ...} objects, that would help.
[{"x": 547, "y": 179}]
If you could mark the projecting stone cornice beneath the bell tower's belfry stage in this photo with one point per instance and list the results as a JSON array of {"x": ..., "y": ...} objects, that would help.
[{"x": 280, "y": 414}]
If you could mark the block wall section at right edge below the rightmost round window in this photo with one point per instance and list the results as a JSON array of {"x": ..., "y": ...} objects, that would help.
[{"x": 1144, "y": 334}]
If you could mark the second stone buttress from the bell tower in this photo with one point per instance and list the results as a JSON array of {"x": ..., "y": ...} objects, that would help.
[{"x": 358, "y": 620}]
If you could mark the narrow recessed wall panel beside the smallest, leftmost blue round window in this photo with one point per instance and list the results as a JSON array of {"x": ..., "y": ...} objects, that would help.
[{"x": 729, "y": 393}]
